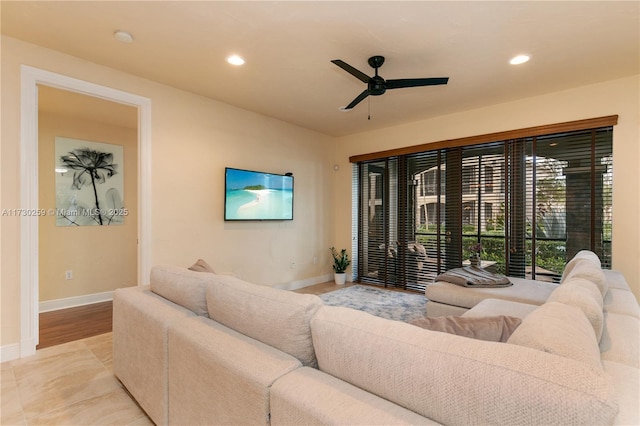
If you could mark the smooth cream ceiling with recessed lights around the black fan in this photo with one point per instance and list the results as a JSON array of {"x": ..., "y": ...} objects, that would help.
[{"x": 288, "y": 47}]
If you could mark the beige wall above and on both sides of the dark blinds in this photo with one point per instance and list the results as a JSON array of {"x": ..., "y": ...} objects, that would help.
[{"x": 609, "y": 98}]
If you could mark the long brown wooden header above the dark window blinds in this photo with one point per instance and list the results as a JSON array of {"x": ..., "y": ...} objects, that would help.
[{"x": 548, "y": 129}]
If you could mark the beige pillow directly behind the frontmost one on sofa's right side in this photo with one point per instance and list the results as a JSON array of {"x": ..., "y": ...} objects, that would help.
[{"x": 582, "y": 294}]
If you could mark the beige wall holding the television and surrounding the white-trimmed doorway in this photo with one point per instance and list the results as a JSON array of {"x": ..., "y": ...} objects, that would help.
[{"x": 193, "y": 139}]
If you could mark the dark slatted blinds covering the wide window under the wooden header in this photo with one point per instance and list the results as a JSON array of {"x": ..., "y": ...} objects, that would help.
[{"x": 531, "y": 203}]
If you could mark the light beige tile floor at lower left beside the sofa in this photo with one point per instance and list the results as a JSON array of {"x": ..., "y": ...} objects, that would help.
[{"x": 69, "y": 384}]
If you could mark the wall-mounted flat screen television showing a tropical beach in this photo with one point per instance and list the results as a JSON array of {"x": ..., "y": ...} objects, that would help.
[{"x": 253, "y": 195}]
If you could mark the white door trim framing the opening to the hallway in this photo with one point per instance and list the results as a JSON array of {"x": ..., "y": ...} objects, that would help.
[{"x": 31, "y": 78}]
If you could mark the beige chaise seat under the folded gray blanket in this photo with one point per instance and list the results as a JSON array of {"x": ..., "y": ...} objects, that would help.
[{"x": 444, "y": 298}]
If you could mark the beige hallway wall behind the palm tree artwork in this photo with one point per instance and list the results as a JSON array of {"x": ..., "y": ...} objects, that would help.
[{"x": 102, "y": 258}]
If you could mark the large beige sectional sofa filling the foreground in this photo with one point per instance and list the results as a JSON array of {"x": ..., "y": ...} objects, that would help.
[{"x": 200, "y": 348}]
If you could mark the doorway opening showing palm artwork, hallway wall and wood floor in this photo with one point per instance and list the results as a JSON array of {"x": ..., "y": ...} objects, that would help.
[{"x": 87, "y": 184}]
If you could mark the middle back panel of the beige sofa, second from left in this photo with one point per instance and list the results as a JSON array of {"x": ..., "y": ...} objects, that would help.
[{"x": 217, "y": 375}]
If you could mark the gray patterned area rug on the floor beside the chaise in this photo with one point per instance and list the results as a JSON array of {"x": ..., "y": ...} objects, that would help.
[{"x": 394, "y": 305}]
